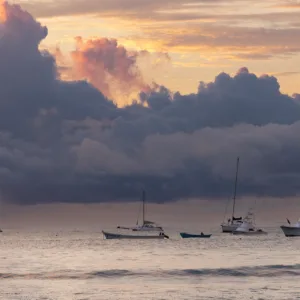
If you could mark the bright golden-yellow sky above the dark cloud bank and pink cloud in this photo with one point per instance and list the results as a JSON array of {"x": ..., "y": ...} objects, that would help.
[{"x": 201, "y": 37}]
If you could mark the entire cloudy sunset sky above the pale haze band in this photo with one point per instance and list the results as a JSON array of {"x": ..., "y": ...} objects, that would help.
[{"x": 100, "y": 99}]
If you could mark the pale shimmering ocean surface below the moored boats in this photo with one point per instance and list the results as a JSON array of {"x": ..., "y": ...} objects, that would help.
[{"x": 77, "y": 265}]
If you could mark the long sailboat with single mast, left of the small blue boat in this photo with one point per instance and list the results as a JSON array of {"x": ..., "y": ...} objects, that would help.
[{"x": 147, "y": 230}]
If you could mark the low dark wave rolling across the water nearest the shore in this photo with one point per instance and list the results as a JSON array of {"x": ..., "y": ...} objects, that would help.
[{"x": 254, "y": 271}]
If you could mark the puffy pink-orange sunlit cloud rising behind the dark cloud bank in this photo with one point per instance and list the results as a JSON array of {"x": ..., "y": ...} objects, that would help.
[{"x": 120, "y": 74}]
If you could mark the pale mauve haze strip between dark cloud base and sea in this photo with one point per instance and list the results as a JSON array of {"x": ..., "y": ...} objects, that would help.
[{"x": 199, "y": 213}]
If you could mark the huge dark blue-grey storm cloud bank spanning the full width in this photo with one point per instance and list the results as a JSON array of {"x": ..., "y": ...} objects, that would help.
[{"x": 64, "y": 141}]
